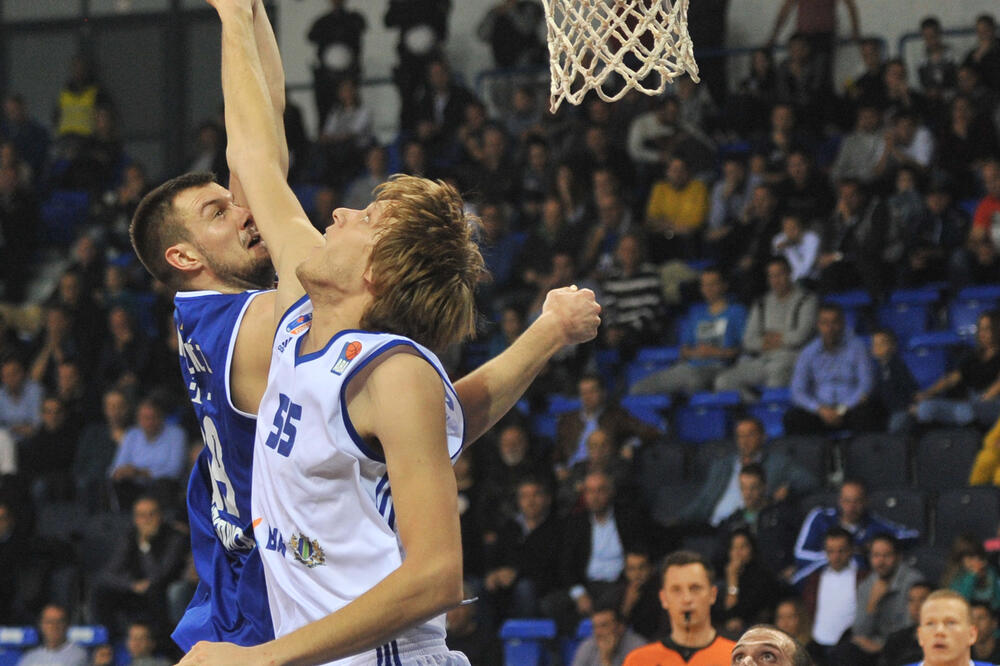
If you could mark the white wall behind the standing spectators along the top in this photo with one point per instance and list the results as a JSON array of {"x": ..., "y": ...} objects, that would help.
[{"x": 749, "y": 23}]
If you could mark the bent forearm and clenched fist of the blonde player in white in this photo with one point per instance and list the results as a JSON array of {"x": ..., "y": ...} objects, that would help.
[{"x": 569, "y": 316}]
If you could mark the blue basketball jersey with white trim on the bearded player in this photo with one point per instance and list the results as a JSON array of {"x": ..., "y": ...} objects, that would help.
[{"x": 230, "y": 603}]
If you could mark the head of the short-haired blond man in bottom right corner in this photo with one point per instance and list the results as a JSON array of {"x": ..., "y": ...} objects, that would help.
[{"x": 946, "y": 633}]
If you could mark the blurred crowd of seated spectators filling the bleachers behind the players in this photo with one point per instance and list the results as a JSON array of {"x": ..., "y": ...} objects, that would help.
[{"x": 800, "y": 335}]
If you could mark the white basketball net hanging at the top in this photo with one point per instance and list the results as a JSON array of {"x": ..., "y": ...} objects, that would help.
[{"x": 644, "y": 42}]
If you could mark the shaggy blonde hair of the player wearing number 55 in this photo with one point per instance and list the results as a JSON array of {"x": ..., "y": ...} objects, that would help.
[{"x": 425, "y": 264}]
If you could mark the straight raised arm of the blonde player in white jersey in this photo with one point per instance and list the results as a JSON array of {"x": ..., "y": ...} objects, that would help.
[{"x": 255, "y": 149}]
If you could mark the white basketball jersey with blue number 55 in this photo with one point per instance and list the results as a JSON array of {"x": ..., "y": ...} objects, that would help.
[{"x": 322, "y": 501}]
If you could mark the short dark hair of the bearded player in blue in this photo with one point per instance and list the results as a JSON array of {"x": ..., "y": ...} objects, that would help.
[{"x": 156, "y": 226}]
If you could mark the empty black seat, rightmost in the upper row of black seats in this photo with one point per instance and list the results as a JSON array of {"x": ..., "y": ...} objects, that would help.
[{"x": 943, "y": 458}]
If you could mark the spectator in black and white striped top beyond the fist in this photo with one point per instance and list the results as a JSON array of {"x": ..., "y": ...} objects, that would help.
[{"x": 633, "y": 310}]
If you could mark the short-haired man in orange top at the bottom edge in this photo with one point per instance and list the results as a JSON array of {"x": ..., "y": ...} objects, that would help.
[{"x": 687, "y": 595}]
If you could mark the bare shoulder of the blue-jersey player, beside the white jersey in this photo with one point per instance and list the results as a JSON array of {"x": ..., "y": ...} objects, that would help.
[{"x": 252, "y": 354}]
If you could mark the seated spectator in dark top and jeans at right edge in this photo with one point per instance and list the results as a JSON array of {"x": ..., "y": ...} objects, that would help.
[{"x": 974, "y": 384}]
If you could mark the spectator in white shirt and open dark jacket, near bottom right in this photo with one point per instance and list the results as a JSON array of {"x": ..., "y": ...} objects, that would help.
[{"x": 830, "y": 592}]
